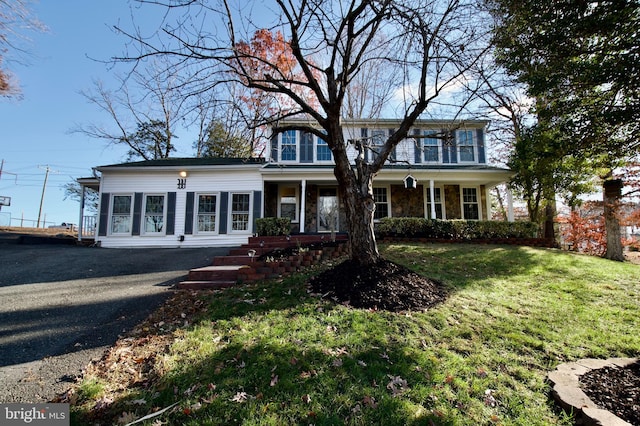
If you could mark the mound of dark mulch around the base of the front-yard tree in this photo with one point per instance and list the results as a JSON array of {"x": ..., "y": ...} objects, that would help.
[{"x": 384, "y": 286}]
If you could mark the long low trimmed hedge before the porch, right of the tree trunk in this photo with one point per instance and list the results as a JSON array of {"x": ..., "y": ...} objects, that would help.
[{"x": 454, "y": 229}]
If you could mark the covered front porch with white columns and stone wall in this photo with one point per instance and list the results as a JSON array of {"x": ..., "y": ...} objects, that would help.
[{"x": 313, "y": 203}]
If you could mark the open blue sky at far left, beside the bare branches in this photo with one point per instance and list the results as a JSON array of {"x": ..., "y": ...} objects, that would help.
[{"x": 36, "y": 130}]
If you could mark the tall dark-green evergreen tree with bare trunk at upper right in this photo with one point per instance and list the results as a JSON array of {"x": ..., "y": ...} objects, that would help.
[{"x": 581, "y": 61}]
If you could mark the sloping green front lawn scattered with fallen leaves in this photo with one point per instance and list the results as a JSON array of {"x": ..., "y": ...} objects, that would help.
[{"x": 271, "y": 354}]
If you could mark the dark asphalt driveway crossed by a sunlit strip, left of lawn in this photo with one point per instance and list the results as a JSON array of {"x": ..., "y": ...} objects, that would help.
[{"x": 63, "y": 305}]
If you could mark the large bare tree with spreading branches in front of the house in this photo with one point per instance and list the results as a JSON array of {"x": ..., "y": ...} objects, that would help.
[{"x": 429, "y": 44}]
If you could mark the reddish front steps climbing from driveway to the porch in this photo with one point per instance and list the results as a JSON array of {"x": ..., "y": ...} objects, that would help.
[{"x": 239, "y": 267}]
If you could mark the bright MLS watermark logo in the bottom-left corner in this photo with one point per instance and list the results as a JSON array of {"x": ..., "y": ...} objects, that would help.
[{"x": 34, "y": 414}]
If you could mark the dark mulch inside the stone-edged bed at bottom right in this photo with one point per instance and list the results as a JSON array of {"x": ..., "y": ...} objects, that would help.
[{"x": 616, "y": 390}]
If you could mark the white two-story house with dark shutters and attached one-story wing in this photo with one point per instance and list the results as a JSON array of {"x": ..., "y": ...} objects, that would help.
[{"x": 439, "y": 171}]
